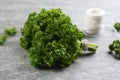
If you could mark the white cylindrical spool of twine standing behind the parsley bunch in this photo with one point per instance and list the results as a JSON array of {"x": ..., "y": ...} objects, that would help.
[{"x": 93, "y": 21}]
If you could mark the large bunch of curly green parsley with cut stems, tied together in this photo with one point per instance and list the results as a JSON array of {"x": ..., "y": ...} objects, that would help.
[{"x": 52, "y": 39}]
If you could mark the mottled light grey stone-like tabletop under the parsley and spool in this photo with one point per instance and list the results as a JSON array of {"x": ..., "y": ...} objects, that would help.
[{"x": 14, "y": 64}]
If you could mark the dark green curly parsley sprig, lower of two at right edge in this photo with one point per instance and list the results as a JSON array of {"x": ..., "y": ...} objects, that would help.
[{"x": 115, "y": 46}]
